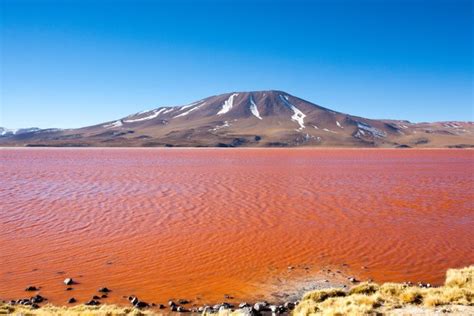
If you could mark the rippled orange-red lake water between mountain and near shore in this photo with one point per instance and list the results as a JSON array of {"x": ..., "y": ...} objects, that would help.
[{"x": 201, "y": 223}]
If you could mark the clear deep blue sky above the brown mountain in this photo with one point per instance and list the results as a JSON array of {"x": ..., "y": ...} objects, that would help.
[{"x": 74, "y": 63}]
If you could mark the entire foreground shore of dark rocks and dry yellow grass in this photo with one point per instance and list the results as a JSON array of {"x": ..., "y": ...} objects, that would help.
[{"x": 456, "y": 296}]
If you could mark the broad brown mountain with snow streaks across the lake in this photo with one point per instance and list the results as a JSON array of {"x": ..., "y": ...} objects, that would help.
[{"x": 251, "y": 119}]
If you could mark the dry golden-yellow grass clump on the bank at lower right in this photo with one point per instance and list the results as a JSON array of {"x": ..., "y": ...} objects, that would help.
[{"x": 370, "y": 298}]
